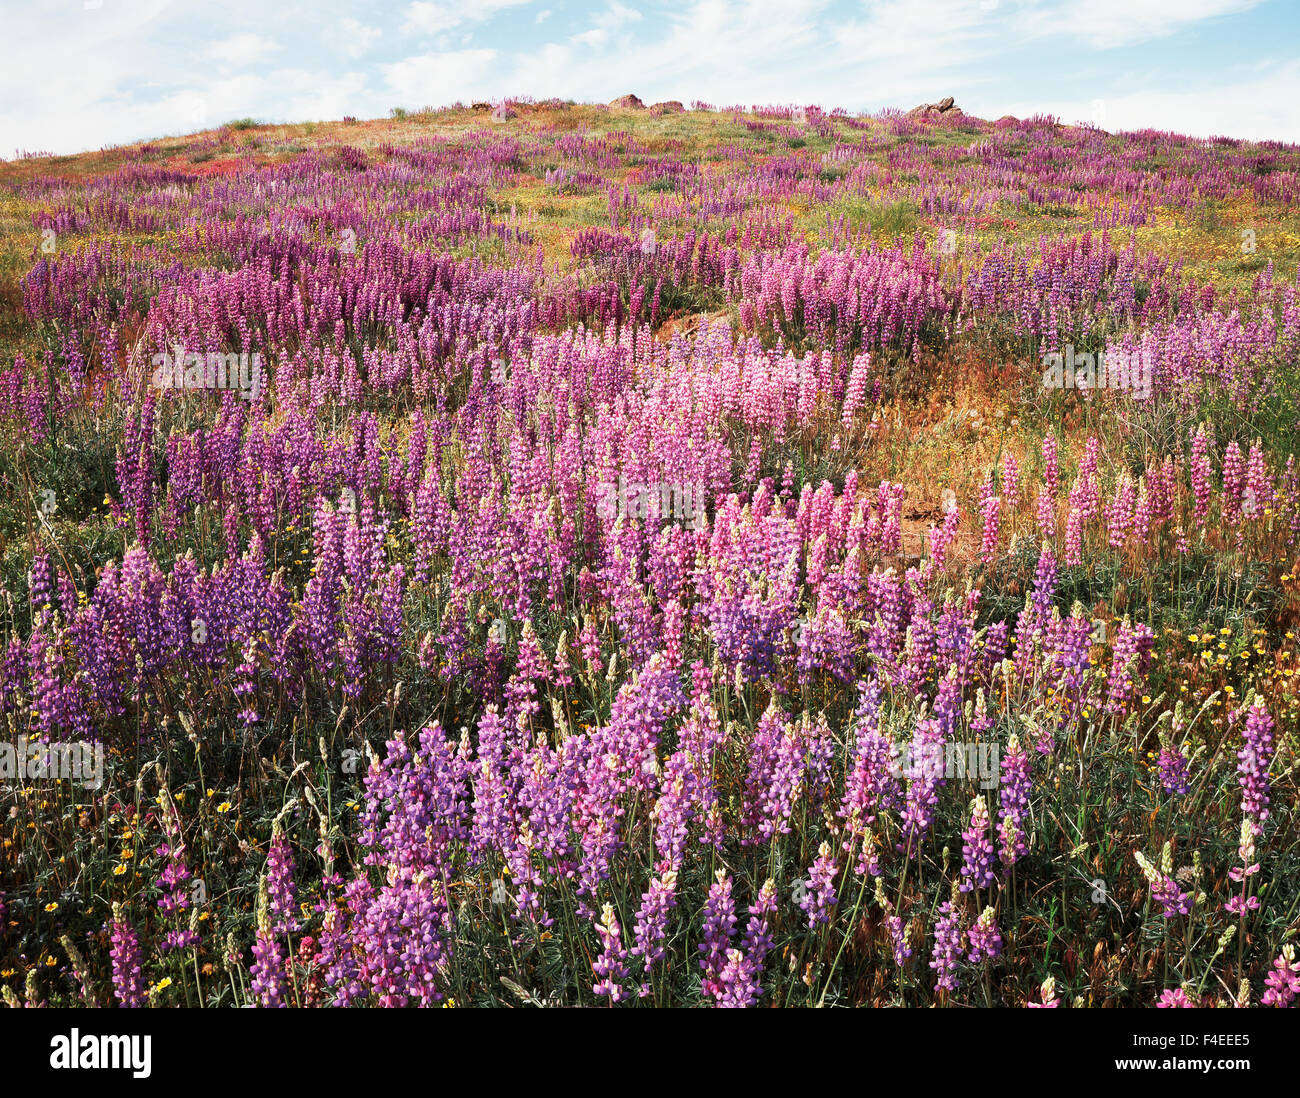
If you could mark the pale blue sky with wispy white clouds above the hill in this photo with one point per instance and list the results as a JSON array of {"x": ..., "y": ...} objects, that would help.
[{"x": 79, "y": 75}]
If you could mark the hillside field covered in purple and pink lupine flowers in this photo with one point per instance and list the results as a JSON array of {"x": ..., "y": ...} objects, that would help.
[{"x": 567, "y": 555}]
